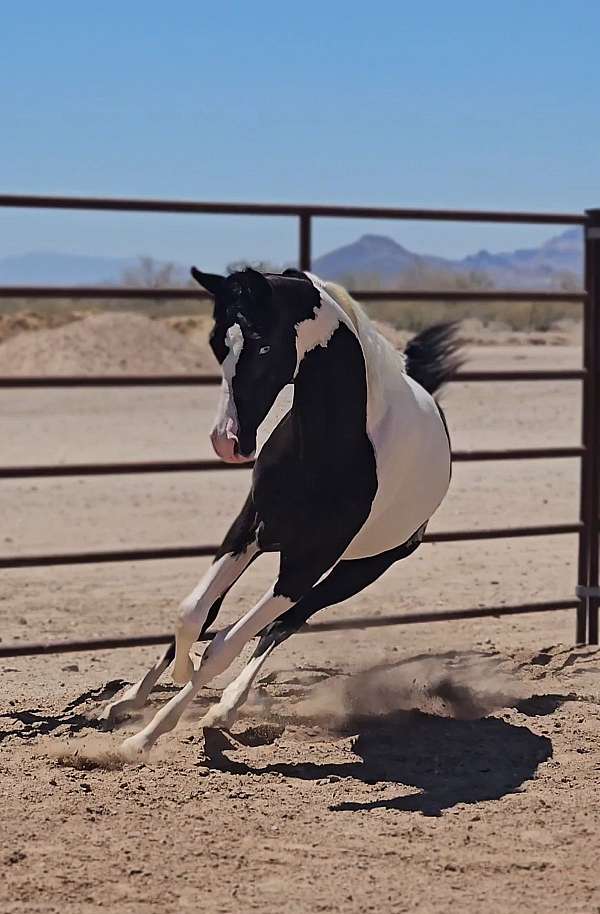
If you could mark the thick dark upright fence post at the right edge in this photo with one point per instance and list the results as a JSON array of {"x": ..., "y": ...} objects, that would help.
[{"x": 589, "y": 595}]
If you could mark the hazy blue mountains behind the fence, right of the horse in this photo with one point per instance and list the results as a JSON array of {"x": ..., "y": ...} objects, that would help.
[{"x": 381, "y": 256}]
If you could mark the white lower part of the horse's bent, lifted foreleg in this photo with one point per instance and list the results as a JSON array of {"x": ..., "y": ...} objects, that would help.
[{"x": 194, "y": 609}]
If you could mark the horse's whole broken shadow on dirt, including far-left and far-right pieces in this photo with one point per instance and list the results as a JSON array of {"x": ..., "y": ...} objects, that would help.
[{"x": 449, "y": 761}]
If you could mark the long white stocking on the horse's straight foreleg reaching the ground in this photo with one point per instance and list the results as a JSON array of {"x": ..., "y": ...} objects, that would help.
[{"x": 226, "y": 646}]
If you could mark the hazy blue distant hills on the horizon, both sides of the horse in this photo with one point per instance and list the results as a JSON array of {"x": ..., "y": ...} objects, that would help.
[{"x": 375, "y": 256}]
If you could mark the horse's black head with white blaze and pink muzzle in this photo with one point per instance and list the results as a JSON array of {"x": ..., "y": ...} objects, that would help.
[{"x": 254, "y": 340}]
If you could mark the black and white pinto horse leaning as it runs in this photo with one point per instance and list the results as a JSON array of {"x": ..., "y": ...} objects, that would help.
[{"x": 343, "y": 487}]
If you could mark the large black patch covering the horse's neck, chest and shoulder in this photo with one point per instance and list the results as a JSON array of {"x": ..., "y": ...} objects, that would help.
[{"x": 315, "y": 479}]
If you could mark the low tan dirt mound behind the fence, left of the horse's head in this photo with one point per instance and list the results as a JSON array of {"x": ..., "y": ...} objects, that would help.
[{"x": 105, "y": 344}]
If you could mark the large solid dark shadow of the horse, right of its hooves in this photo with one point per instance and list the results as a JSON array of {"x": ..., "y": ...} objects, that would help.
[{"x": 449, "y": 761}]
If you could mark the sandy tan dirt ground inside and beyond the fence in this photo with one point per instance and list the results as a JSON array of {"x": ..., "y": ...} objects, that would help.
[{"x": 458, "y": 767}]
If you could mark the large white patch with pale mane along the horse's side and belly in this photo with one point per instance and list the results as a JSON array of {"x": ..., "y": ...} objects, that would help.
[{"x": 406, "y": 430}]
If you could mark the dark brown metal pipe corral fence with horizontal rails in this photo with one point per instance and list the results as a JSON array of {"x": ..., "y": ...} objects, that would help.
[{"x": 586, "y": 597}]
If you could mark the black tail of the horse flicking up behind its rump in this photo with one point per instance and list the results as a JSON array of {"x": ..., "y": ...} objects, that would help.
[{"x": 433, "y": 356}]
